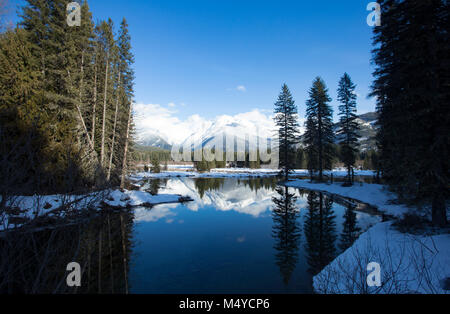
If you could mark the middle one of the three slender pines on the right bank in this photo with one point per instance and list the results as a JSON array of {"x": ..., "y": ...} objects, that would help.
[{"x": 319, "y": 135}]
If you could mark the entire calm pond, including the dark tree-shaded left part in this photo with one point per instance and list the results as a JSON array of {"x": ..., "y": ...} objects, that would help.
[{"x": 237, "y": 236}]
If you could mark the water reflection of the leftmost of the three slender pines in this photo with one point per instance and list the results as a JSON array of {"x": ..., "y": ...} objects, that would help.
[{"x": 286, "y": 232}]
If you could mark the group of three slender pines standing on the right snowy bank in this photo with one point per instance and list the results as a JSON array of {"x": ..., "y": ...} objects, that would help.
[{"x": 318, "y": 151}]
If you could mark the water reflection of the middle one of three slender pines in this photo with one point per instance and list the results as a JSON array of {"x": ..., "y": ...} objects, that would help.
[{"x": 320, "y": 230}]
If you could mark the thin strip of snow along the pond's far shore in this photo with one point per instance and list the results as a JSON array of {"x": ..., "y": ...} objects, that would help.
[{"x": 238, "y": 173}]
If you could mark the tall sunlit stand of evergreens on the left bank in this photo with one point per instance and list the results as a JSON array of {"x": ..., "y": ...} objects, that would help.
[{"x": 65, "y": 101}]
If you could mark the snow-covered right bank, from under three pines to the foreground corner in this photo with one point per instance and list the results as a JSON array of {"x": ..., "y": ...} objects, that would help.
[{"x": 409, "y": 263}]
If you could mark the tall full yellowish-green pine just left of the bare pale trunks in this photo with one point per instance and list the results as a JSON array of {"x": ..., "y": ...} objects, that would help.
[{"x": 55, "y": 47}]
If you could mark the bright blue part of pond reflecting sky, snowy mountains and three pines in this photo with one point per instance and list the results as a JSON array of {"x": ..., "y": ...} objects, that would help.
[{"x": 237, "y": 236}]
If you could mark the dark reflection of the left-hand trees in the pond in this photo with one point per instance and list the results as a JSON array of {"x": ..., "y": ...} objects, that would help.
[{"x": 34, "y": 260}]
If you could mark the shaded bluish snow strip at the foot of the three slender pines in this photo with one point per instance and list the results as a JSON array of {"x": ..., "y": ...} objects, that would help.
[{"x": 373, "y": 194}]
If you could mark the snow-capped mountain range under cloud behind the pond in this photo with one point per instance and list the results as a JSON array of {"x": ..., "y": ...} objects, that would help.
[{"x": 195, "y": 130}]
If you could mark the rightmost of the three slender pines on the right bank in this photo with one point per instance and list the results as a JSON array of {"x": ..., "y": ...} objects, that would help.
[{"x": 348, "y": 128}]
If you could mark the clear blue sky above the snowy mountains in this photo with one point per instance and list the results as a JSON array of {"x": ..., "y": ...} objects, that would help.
[{"x": 213, "y": 57}]
